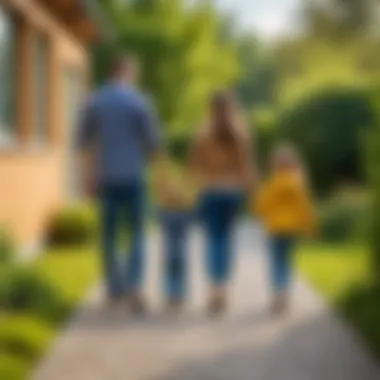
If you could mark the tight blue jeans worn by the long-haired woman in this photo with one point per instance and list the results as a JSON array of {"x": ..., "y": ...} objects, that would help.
[{"x": 218, "y": 212}]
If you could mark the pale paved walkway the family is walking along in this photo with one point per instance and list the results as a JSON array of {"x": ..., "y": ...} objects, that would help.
[{"x": 310, "y": 344}]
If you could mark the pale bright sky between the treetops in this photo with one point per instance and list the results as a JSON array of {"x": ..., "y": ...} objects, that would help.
[{"x": 270, "y": 18}]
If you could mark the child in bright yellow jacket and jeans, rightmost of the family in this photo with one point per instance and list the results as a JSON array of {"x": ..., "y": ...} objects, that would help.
[{"x": 286, "y": 210}]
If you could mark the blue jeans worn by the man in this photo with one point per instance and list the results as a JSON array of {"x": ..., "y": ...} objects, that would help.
[{"x": 122, "y": 206}]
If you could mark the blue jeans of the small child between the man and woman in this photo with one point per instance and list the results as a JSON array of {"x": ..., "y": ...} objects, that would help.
[{"x": 175, "y": 226}]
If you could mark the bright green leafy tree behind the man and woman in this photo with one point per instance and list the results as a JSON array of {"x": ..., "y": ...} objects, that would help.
[{"x": 184, "y": 52}]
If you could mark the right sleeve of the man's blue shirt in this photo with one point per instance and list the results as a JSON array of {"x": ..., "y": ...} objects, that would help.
[{"x": 149, "y": 126}]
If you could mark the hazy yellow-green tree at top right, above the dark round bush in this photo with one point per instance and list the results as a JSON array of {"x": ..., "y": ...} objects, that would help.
[{"x": 339, "y": 48}]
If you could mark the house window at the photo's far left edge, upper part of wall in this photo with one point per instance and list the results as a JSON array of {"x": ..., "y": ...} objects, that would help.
[{"x": 7, "y": 79}]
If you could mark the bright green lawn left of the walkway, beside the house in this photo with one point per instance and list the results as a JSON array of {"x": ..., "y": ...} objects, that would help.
[{"x": 24, "y": 336}]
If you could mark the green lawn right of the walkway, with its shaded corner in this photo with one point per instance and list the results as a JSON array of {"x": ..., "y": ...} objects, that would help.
[{"x": 342, "y": 273}]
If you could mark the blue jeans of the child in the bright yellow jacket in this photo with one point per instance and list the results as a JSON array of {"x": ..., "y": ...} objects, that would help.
[{"x": 281, "y": 261}]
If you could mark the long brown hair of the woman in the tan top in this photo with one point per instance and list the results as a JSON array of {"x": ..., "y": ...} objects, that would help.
[{"x": 225, "y": 119}]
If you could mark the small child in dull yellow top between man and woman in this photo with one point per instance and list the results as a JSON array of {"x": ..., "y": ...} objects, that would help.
[{"x": 175, "y": 200}]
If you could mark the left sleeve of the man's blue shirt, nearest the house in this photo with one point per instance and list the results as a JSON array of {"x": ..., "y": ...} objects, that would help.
[{"x": 86, "y": 128}]
